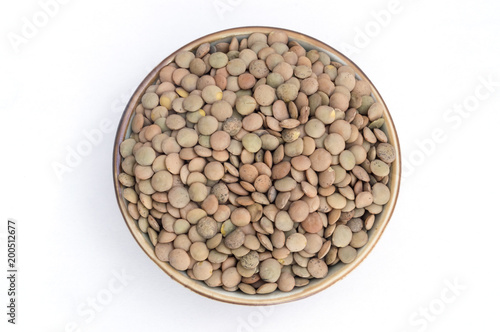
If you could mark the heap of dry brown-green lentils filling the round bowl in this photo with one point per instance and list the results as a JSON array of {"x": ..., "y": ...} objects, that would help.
[{"x": 254, "y": 164}]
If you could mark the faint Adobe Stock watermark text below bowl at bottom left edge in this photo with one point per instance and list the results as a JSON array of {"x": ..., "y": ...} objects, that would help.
[{"x": 93, "y": 305}]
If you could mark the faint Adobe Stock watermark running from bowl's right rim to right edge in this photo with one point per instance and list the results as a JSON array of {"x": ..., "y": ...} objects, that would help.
[{"x": 453, "y": 118}]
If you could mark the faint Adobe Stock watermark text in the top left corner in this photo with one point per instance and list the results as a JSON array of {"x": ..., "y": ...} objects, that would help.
[{"x": 31, "y": 25}]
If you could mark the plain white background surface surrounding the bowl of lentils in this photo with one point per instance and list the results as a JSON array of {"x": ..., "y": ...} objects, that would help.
[{"x": 78, "y": 71}]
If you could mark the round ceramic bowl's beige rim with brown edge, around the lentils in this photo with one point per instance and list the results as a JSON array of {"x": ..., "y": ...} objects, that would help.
[{"x": 336, "y": 272}]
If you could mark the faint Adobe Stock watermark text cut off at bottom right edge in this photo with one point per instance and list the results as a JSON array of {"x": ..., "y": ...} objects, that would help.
[{"x": 429, "y": 313}]
